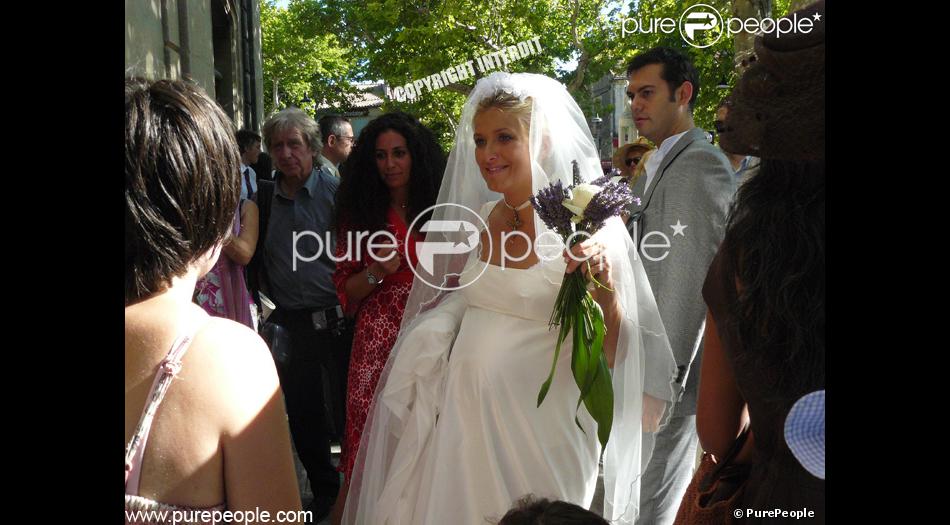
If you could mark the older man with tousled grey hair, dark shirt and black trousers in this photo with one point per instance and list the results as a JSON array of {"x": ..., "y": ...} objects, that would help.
[{"x": 307, "y": 332}]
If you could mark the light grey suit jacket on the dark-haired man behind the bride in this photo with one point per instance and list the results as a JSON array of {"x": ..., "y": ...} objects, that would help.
[{"x": 693, "y": 185}]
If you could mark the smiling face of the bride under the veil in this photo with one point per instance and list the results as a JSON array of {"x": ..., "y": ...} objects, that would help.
[{"x": 501, "y": 151}]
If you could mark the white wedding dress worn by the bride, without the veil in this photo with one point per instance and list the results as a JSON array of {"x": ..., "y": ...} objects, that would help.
[{"x": 482, "y": 442}]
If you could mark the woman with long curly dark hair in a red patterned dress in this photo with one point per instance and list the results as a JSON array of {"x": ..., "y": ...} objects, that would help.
[{"x": 392, "y": 175}]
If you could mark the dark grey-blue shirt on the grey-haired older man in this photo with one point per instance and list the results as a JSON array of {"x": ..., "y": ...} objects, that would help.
[{"x": 308, "y": 217}]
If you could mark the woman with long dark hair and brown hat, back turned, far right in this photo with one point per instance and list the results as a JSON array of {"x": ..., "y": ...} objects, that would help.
[{"x": 765, "y": 290}]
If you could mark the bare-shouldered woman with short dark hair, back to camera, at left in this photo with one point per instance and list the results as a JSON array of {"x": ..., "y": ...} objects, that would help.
[{"x": 217, "y": 439}]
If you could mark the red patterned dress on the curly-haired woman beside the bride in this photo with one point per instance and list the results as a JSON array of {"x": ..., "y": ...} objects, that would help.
[{"x": 378, "y": 317}]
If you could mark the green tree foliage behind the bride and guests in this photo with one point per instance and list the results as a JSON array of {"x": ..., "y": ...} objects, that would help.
[{"x": 322, "y": 44}]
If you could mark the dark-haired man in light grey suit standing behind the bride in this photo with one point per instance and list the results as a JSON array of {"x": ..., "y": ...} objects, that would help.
[{"x": 685, "y": 193}]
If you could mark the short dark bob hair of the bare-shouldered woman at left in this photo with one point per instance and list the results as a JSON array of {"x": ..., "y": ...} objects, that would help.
[{"x": 182, "y": 181}]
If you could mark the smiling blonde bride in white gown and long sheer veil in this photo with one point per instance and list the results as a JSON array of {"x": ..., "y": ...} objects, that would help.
[{"x": 455, "y": 434}]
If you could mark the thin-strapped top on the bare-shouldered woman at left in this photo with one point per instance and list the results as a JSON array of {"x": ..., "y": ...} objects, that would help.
[{"x": 145, "y": 511}]
